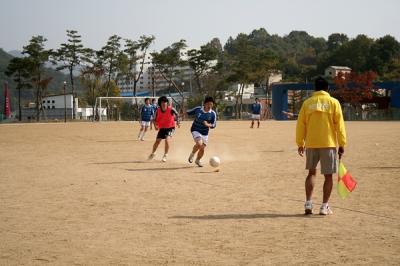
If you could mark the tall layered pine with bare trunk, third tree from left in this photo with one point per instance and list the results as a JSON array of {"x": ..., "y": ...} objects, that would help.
[{"x": 70, "y": 56}]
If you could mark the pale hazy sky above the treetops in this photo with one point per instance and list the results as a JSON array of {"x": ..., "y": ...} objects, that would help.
[{"x": 195, "y": 21}]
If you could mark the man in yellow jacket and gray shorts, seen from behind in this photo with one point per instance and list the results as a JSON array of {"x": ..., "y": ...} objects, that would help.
[{"x": 319, "y": 130}]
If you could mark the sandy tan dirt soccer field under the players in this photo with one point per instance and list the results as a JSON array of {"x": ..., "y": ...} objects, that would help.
[{"x": 84, "y": 194}]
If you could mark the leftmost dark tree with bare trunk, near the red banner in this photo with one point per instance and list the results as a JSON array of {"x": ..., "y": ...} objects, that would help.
[{"x": 20, "y": 69}]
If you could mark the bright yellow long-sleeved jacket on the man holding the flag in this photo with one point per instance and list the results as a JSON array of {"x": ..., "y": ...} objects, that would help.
[{"x": 320, "y": 123}]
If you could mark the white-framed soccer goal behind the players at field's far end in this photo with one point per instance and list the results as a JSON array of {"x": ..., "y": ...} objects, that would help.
[{"x": 121, "y": 108}]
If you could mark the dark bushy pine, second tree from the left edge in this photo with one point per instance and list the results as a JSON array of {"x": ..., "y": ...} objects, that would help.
[{"x": 38, "y": 56}]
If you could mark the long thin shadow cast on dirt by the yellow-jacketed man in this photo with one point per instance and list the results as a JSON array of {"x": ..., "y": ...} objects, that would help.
[{"x": 244, "y": 216}]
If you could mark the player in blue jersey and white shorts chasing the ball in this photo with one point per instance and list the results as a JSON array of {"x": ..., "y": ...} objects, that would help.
[{"x": 205, "y": 119}]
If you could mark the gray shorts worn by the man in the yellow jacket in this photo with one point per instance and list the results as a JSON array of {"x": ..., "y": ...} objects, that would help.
[{"x": 327, "y": 156}]
